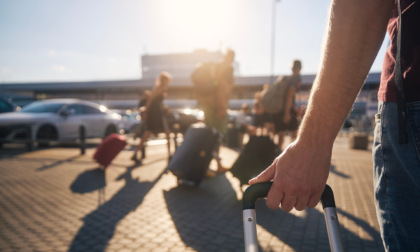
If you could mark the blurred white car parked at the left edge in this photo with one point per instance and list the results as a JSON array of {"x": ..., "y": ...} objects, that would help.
[{"x": 58, "y": 120}]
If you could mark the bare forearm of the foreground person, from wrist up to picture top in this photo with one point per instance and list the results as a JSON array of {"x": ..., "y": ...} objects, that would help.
[{"x": 355, "y": 34}]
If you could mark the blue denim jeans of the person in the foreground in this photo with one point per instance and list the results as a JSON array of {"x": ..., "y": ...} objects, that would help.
[{"x": 397, "y": 178}]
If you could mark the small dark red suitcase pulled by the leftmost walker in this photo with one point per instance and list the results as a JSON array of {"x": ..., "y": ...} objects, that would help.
[{"x": 108, "y": 149}]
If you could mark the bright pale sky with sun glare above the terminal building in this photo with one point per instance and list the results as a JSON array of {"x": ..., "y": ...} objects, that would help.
[{"x": 92, "y": 40}]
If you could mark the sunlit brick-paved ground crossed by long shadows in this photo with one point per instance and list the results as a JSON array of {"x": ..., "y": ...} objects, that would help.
[{"x": 57, "y": 200}]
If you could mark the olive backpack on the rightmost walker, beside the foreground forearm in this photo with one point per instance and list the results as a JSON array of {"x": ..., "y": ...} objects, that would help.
[{"x": 273, "y": 99}]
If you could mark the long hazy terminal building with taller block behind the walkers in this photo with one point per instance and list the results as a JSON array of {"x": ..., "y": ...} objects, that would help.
[{"x": 124, "y": 94}]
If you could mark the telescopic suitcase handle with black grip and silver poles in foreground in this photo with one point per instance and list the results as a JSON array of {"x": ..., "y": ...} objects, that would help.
[{"x": 260, "y": 190}]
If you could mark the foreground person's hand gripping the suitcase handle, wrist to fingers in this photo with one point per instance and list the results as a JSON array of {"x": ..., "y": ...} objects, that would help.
[{"x": 299, "y": 176}]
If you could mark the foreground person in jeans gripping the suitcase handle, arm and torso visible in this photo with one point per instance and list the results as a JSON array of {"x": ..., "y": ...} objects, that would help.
[{"x": 352, "y": 43}]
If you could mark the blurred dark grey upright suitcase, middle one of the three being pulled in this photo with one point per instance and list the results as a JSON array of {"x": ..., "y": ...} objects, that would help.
[{"x": 192, "y": 159}]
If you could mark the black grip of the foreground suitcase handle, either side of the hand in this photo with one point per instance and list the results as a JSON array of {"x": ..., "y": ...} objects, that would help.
[{"x": 260, "y": 190}]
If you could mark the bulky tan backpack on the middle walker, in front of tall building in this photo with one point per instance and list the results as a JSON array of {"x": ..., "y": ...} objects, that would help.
[{"x": 203, "y": 78}]
